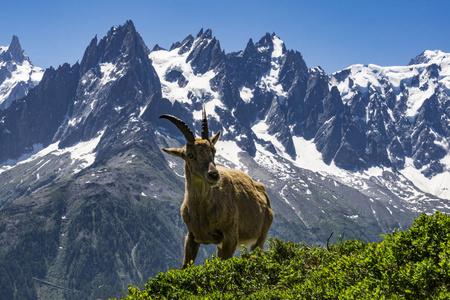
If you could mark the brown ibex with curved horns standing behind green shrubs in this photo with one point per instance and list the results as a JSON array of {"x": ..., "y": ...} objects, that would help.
[{"x": 221, "y": 206}]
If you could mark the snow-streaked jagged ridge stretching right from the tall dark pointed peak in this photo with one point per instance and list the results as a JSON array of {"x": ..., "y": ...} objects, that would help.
[{"x": 359, "y": 119}]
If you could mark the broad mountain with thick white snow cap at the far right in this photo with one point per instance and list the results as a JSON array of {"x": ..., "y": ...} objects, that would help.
[{"x": 405, "y": 113}]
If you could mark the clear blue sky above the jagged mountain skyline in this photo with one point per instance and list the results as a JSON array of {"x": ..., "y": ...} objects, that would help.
[{"x": 333, "y": 34}]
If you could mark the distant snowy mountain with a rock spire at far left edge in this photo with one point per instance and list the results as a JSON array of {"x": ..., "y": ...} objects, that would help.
[{"x": 17, "y": 74}]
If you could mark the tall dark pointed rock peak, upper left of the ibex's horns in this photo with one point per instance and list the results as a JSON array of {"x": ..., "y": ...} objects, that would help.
[{"x": 116, "y": 76}]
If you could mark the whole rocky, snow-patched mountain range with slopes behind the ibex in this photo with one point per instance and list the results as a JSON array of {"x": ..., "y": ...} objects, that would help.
[{"x": 84, "y": 184}]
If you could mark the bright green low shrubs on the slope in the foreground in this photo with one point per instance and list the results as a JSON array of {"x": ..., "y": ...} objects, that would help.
[{"x": 412, "y": 264}]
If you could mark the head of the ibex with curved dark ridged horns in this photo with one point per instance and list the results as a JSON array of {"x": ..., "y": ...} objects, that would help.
[{"x": 198, "y": 153}]
